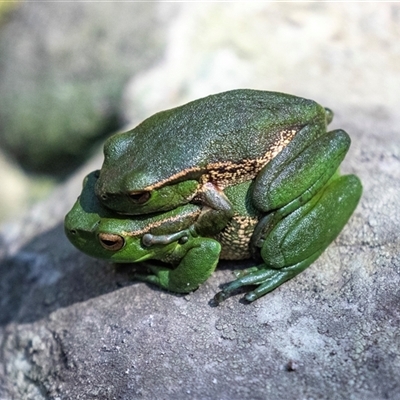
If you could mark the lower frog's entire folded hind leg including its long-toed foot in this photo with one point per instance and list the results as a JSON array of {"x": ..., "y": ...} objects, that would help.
[{"x": 290, "y": 245}]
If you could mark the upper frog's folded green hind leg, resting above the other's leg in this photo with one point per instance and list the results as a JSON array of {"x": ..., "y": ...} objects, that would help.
[{"x": 292, "y": 173}]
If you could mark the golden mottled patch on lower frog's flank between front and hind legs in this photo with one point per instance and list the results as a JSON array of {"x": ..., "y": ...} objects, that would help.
[{"x": 235, "y": 238}]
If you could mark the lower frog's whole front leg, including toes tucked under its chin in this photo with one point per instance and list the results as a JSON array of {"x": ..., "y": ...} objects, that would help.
[{"x": 198, "y": 259}]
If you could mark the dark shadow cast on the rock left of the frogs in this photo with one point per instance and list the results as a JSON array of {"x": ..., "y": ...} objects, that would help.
[{"x": 40, "y": 279}]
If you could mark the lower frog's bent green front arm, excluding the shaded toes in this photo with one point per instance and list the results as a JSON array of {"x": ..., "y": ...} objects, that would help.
[{"x": 194, "y": 268}]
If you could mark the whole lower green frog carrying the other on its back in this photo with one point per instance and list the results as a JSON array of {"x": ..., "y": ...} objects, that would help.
[{"x": 286, "y": 241}]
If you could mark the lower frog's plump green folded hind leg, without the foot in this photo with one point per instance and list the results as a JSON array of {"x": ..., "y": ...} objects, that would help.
[{"x": 307, "y": 231}]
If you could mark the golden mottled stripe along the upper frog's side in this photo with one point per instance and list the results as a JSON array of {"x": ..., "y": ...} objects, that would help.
[{"x": 226, "y": 173}]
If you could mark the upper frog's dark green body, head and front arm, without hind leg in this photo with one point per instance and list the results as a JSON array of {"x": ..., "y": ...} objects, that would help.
[{"x": 193, "y": 152}]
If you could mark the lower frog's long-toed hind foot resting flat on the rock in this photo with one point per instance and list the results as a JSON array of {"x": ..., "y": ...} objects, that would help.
[{"x": 266, "y": 279}]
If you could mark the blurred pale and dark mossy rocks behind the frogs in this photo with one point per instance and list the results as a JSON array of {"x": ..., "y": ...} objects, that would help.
[{"x": 73, "y": 73}]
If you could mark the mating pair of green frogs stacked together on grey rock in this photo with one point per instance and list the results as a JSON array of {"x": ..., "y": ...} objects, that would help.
[{"x": 232, "y": 175}]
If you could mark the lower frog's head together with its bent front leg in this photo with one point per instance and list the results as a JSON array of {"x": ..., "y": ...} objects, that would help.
[{"x": 101, "y": 233}]
